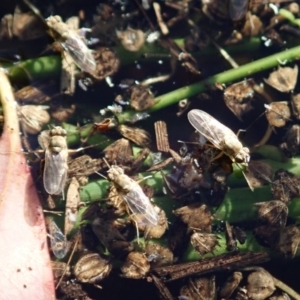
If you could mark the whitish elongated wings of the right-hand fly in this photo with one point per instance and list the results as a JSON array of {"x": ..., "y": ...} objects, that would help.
[{"x": 213, "y": 130}]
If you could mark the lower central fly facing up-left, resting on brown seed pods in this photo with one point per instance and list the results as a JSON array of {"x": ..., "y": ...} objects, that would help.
[{"x": 139, "y": 204}]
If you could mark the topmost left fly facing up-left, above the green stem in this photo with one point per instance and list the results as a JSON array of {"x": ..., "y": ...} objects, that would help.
[{"x": 72, "y": 43}]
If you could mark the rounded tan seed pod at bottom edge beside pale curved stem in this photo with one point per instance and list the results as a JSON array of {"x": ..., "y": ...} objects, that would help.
[{"x": 260, "y": 285}]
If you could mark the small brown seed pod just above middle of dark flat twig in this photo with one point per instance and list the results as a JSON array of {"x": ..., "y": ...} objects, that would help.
[{"x": 204, "y": 242}]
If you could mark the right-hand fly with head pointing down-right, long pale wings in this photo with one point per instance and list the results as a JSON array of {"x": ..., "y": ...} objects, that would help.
[{"x": 219, "y": 135}]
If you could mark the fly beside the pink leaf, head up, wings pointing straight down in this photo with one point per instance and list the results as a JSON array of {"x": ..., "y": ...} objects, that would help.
[{"x": 54, "y": 143}]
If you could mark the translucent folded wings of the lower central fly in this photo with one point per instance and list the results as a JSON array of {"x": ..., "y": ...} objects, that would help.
[{"x": 141, "y": 207}]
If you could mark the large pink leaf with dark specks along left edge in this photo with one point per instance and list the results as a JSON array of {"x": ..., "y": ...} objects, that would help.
[{"x": 24, "y": 258}]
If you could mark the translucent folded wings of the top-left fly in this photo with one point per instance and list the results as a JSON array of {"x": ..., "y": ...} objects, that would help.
[{"x": 80, "y": 53}]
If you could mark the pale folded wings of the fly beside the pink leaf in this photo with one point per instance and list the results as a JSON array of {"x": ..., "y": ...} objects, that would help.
[{"x": 55, "y": 171}]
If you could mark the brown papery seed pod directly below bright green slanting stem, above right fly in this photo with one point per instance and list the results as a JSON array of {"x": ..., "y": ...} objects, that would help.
[{"x": 238, "y": 97}]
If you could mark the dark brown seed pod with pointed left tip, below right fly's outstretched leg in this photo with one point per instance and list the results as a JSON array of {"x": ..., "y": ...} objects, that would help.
[{"x": 273, "y": 212}]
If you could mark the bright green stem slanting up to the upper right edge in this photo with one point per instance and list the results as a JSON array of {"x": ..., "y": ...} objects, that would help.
[{"x": 221, "y": 78}]
